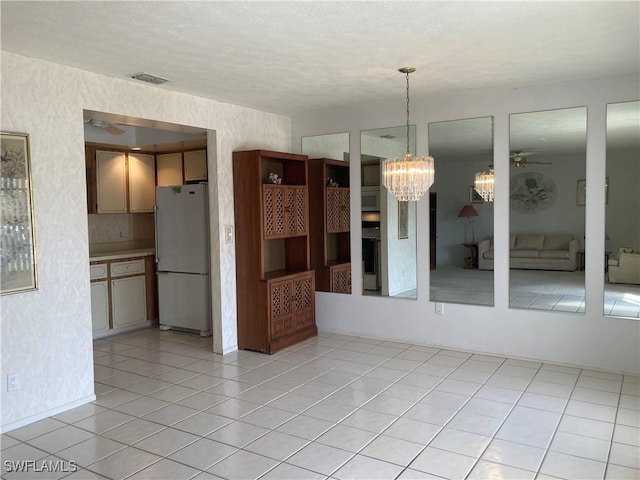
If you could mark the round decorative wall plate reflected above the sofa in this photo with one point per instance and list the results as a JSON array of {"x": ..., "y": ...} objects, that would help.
[{"x": 532, "y": 192}]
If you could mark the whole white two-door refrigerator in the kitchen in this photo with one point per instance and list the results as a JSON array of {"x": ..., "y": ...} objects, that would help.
[{"x": 182, "y": 258}]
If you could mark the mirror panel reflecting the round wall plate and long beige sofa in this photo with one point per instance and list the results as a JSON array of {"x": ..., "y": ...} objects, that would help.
[{"x": 547, "y": 210}]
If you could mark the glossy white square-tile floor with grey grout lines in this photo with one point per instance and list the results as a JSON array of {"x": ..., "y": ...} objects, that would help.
[{"x": 334, "y": 407}]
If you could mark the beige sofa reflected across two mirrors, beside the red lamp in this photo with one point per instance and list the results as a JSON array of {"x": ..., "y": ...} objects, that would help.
[{"x": 535, "y": 252}]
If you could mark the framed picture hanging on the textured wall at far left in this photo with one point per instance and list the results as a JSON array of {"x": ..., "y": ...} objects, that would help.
[{"x": 18, "y": 254}]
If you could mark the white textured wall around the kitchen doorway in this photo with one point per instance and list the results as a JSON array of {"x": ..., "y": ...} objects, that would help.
[{"x": 46, "y": 334}]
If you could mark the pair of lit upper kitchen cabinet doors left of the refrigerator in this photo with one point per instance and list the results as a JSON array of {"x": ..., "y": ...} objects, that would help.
[{"x": 124, "y": 182}]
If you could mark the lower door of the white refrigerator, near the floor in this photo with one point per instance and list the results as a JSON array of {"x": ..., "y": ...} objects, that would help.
[{"x": 184, "y": 301}]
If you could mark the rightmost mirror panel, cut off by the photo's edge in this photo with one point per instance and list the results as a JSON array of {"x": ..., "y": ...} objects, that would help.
[{"x": 622, "y": 227}]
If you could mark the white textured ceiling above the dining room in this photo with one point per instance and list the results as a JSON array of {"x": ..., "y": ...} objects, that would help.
[{"x": 296, "y": 58}]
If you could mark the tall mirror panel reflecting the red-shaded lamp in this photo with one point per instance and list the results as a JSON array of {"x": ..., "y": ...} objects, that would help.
[{"x": 461, "y": 220}]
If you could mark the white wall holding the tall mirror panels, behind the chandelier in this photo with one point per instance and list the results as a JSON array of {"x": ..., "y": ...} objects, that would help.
[{"x": 589, "y": 340}]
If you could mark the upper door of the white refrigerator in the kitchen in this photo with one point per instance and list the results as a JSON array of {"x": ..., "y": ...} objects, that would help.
[{"x": 182, "y": 229}]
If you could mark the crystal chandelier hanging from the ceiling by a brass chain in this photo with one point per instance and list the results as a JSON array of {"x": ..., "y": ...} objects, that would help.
[{"x": 408, "y": 178}]
